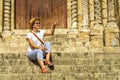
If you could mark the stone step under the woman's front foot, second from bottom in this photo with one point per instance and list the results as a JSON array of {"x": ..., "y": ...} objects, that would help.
[{"x": 60, "y": 69}]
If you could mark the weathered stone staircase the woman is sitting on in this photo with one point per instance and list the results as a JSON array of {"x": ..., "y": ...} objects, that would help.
[{"x": 74, "y": 59}]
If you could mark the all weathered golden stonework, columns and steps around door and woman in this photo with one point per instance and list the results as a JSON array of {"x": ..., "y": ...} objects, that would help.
[{"x": 88, "y": 51}]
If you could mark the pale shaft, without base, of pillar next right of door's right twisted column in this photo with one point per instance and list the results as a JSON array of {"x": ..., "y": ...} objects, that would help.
[{"x": 85, "y": 22}]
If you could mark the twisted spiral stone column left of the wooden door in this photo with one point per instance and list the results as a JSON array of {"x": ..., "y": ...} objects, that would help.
[{"x": 6, "y": 16}]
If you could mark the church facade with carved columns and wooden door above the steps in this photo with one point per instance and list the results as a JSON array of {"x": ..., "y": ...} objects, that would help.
[{"x": 97, "y": 21}]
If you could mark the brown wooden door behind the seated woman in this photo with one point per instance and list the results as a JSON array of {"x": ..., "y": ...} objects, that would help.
[{"x": 47, "y": 10}]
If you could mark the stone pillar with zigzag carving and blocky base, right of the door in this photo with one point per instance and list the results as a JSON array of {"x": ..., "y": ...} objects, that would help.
[{"x": 97, "y": 29}]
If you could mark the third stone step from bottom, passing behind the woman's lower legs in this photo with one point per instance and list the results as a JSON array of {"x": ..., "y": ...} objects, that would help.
[{"x": 62, "y": 61}]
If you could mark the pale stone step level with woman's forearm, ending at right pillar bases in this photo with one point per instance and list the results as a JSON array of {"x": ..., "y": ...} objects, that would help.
[{"x": 66, "y": 43}]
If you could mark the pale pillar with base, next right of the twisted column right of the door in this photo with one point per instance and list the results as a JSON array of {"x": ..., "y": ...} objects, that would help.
[{"x": 83, "y": 22}]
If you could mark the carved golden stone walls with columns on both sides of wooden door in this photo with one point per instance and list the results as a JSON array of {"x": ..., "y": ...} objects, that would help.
[{"x": 96, "y": 20}]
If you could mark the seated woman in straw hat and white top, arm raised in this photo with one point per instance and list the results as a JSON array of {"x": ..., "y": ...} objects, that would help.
[{"x": 38, "y": 49}]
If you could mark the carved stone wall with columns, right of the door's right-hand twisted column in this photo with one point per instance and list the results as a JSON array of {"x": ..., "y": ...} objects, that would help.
[{"x": 99, "y": 21}]
